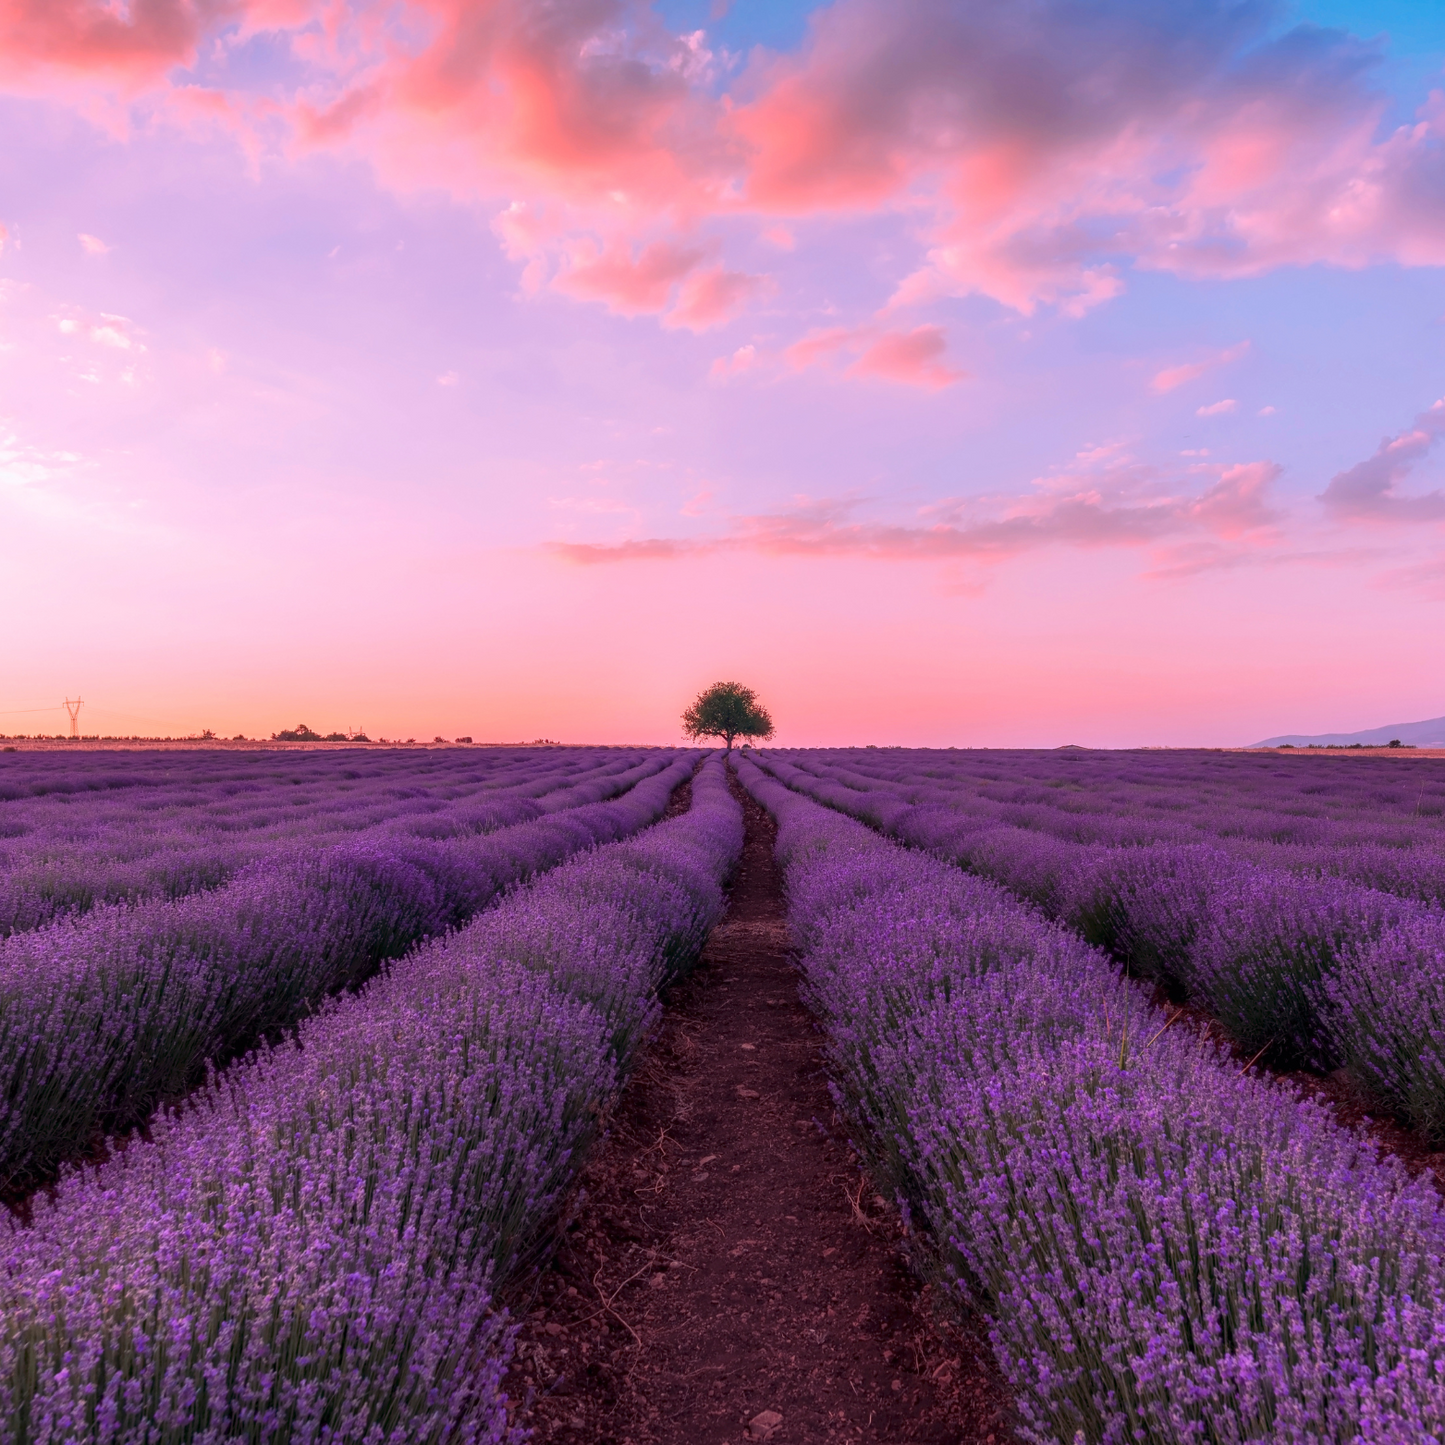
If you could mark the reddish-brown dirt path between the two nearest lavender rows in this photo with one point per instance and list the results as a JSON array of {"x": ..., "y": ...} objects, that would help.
[{"x": 726, "y": 1274}]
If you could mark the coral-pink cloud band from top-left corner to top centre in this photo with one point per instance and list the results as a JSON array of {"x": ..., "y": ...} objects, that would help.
[{"x": 590, "y": 102}]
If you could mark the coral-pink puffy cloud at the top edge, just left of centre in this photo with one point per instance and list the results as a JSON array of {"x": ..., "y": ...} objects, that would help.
[{"x": 596, "y": 105}]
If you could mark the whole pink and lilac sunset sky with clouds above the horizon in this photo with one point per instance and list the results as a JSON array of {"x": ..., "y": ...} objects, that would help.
[{"x": 1008, "y": 374}]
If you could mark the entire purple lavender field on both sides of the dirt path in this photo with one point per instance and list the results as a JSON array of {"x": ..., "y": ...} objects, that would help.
[{"x": 369, "y": 1009}]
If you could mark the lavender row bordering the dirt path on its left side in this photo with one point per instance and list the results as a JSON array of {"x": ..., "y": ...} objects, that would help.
[{"x": 310, "y": 1251}]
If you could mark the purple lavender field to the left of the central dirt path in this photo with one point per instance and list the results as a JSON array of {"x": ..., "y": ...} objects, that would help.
[{"x": 309, "y": 1245}]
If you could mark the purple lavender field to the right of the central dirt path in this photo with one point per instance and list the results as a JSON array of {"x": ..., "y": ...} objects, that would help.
[{"x": 1170, "y": 1246}]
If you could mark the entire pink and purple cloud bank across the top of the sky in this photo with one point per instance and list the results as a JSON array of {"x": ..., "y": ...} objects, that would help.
[{"x": 1041, "y": 148}]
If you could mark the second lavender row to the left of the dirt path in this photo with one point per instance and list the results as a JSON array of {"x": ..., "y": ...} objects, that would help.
[{"x": 105, "y": 1017}]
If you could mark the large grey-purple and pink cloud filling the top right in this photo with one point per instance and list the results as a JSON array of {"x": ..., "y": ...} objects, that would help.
[{"x": 1061, "y": 137}]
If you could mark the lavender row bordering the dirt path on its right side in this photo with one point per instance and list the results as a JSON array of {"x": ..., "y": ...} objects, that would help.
[{"x": 1170, "y": 1251}]
